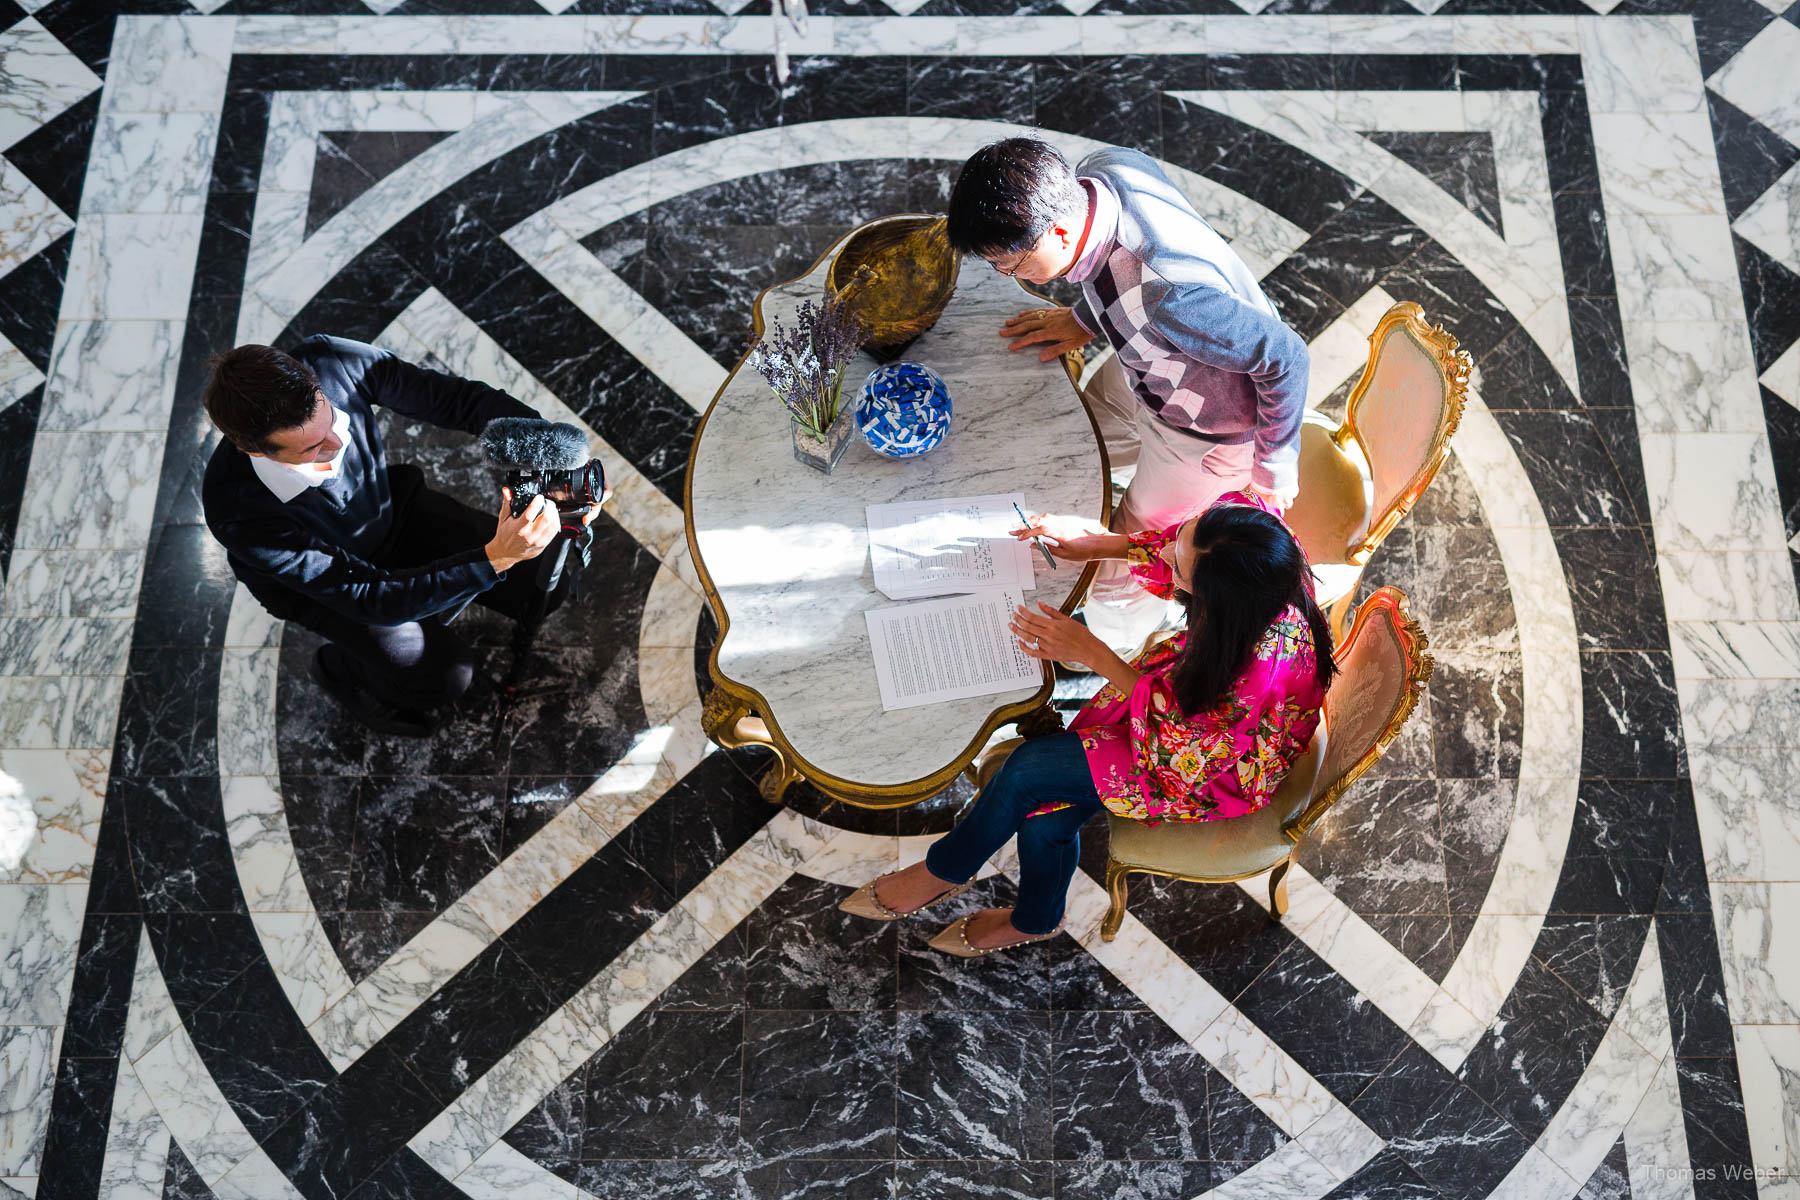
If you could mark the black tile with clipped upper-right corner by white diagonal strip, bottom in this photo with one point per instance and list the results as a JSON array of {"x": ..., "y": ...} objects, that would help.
[{"x": 1128, "y": 1088}]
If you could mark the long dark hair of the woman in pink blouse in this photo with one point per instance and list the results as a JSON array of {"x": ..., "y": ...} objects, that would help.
[{"x": 1246, "y": 571}]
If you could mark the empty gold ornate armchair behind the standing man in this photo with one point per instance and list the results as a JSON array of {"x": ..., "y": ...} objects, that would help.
[{"x": 1362, "y": 478}]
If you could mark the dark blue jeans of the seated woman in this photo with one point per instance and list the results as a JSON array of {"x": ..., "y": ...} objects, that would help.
[{"x": 1039, "y": 773}]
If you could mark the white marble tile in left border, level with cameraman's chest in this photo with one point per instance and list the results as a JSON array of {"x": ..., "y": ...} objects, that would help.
[{"x": 100, "y": 494}]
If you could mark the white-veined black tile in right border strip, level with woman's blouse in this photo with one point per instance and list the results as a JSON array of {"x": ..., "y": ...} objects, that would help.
[{"x": 1632, "y": 724}]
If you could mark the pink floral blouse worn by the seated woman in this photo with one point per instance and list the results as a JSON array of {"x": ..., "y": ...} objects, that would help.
[{"x": 1153, "y": 762}]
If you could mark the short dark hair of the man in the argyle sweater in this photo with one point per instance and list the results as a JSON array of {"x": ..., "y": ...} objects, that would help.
[{"x": 1009, "y": 193}]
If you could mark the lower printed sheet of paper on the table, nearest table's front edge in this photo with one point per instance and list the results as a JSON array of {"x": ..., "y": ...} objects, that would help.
[{"x": 949, "y": 650}]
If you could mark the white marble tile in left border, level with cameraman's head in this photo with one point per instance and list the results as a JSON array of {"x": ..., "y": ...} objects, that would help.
[{"x": 112, "y": 377}]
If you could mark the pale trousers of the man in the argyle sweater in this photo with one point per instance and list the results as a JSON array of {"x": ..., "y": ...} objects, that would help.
[{"x": 1176, "y": 476}]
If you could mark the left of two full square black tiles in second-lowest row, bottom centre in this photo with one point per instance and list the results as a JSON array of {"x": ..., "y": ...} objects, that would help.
[{"x": 820, "y": 1086}]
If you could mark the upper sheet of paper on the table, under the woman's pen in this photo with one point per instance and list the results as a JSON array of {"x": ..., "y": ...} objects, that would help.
[{"x": 946, "y": 548}]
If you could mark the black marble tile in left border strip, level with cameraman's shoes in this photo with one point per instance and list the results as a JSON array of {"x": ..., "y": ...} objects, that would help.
[{"x": 168, "y": 713}]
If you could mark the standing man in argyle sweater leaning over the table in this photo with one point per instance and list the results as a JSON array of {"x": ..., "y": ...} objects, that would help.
[{"x": 1207, "y": 388}]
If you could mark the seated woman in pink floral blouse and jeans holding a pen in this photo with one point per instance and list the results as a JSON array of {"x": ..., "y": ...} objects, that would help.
[{"x": 1198, "y": 728}]
